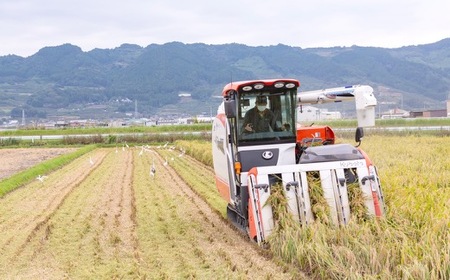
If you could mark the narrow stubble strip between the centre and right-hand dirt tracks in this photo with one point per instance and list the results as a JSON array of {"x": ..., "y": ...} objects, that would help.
[{"x": 167, "y": 231}]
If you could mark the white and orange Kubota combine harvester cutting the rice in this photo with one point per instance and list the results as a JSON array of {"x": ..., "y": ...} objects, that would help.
[{"x": 248, "y": 162}]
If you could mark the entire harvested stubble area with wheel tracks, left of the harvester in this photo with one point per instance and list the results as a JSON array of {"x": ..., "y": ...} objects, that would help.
[{"x": 112, "y": 219}]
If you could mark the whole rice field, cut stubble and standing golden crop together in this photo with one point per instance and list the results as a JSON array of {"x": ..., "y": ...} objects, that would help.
[{"x": 113, "y": 219}]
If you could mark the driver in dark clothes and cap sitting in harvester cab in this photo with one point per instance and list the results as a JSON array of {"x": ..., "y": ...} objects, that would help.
[{"x": 259, "y": 118}]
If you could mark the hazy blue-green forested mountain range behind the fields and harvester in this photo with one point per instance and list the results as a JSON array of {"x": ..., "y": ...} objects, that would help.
[{"x": 155, "y": 80}]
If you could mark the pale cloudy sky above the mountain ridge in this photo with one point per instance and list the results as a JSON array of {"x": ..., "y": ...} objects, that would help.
[{"x": 26, "y": 26}]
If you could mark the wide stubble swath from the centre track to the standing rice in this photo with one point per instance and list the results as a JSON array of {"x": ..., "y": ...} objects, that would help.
[{"x": 199, "y": 243}]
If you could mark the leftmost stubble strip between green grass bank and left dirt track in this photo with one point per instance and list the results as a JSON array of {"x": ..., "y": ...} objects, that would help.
[{"x": 30, "y": 207}]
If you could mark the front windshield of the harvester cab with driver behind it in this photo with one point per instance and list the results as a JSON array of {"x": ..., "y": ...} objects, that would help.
[{"x": 266, "y": 116}]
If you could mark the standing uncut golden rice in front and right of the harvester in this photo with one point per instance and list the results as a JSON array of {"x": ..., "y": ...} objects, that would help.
[{"x": 411, "y": 242}]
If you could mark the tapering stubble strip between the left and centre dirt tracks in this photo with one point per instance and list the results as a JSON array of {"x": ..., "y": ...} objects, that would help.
[{"x": 92, "y": 235}]
